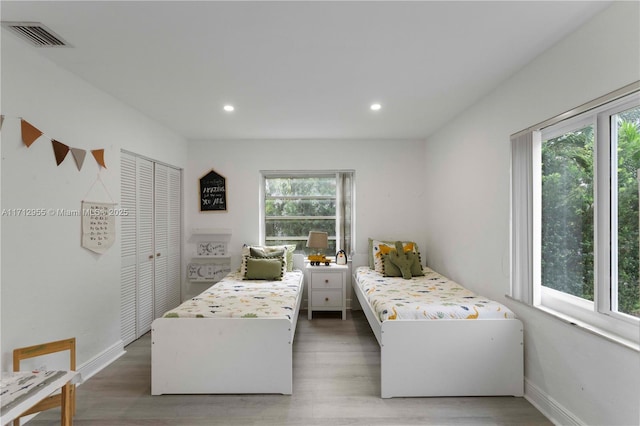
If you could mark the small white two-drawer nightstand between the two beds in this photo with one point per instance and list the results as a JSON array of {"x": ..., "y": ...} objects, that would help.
[{"x": 327, "y": 288}]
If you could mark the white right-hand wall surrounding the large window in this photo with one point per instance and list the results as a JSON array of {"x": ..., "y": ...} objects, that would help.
[{"x": 574, "y": 376}]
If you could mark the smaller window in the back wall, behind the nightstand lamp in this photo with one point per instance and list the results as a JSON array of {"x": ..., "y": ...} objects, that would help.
[{"x": 295, "y": 203}]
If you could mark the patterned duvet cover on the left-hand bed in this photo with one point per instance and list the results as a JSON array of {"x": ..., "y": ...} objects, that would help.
[{"x": 235, "y": 297}]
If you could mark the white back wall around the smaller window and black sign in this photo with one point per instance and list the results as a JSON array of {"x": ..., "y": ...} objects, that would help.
[{"x": 389, "y": 179}]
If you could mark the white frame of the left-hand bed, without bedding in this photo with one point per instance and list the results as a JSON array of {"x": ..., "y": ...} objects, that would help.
[{"x": 242, "y": 355}]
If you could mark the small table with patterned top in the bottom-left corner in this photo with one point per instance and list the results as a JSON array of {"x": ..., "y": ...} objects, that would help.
[{"x": 22, "y": 390}]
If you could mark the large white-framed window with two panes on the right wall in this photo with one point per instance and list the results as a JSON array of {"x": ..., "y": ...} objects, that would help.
[{"x": 576, "y": 216}]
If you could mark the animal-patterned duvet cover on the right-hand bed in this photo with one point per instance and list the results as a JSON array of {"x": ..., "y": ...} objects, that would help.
[{"x": 432, "y": 296}]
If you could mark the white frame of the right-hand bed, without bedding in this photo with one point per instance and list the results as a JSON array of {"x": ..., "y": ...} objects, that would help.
[{"x": 447, "y": 357}]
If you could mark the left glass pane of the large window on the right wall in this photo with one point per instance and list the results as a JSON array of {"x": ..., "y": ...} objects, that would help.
[{"x": 567, "y": 209}]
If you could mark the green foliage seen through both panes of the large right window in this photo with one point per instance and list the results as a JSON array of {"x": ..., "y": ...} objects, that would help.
[{"x": 568, "y": 212}]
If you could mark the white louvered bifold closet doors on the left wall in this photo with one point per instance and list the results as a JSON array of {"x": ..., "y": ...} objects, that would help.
[{"x": 151, "y": 241}]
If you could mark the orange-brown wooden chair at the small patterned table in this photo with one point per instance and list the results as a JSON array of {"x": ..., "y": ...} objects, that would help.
[{"x": 55, "y": 400}]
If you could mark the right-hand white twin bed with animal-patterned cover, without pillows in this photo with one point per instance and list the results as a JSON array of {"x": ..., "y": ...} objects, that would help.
[{"x": 439, "y": 339}]
